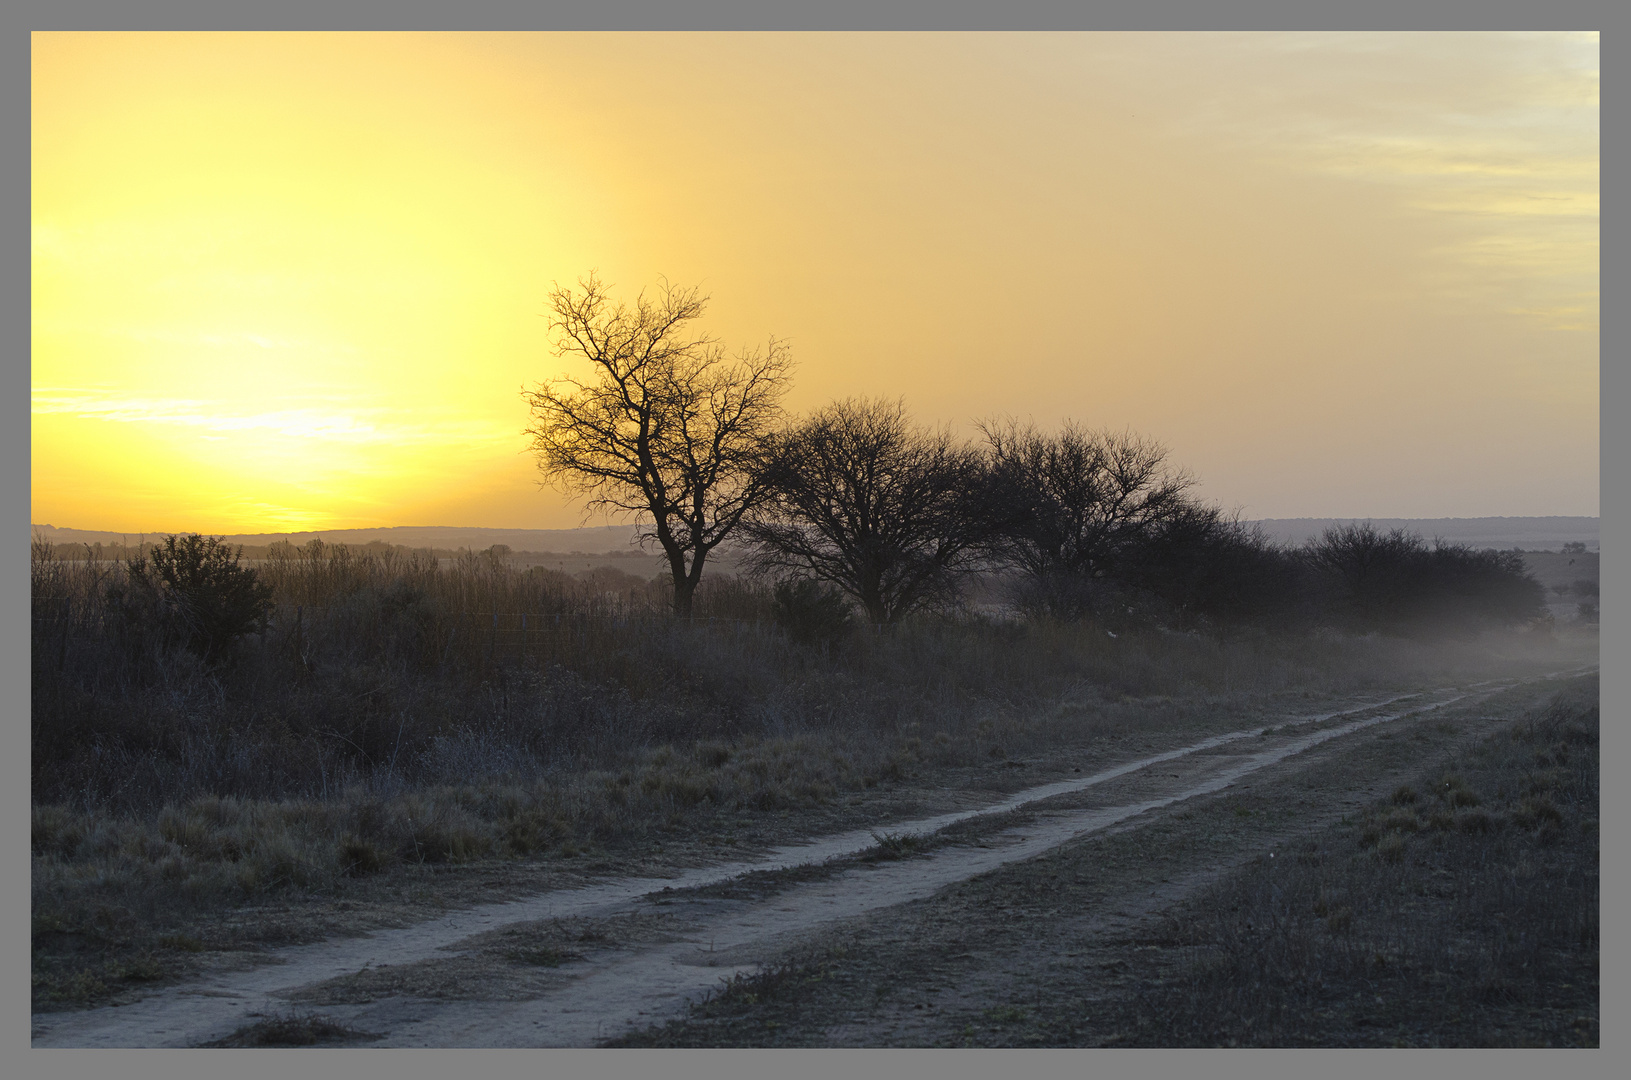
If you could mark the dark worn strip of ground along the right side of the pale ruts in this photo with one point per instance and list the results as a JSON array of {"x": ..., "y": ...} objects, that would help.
[{"x": 1059, "y": 950}]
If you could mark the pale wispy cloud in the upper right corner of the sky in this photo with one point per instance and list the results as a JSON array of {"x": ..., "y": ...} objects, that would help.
[{"x": 1492, "y": 139}]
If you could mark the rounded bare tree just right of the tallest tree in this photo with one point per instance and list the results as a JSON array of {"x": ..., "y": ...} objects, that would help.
[{"x": 885, "y": 510}]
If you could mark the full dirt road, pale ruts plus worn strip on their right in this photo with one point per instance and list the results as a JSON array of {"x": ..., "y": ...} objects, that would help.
[{"x": 625, "y": 957}]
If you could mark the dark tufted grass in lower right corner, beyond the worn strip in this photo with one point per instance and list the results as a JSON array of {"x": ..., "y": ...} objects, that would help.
[{"x": 1462, "y": 911}]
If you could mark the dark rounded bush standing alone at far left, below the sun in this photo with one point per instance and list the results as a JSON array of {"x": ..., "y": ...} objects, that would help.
[{"x": 192, "y": 591}]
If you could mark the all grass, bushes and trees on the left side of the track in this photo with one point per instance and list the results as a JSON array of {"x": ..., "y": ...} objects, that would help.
[{"x": 210, "y": 733}]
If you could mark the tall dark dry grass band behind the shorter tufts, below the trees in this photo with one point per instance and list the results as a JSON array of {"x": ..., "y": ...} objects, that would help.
[{"x": 387, "y": 670}]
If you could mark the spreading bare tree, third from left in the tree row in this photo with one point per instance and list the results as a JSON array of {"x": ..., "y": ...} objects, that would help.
[{"x": 1071, "y": 507}]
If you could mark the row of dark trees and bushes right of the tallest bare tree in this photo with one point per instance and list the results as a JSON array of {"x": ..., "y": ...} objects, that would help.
[{"x": 1084, "y": 525}]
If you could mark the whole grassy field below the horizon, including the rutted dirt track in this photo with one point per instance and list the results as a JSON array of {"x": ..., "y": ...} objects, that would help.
[{"x": 399, "y": 823}]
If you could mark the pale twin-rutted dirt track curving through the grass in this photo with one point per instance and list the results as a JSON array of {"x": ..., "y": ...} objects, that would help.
[{"x": 580, "y": 967}]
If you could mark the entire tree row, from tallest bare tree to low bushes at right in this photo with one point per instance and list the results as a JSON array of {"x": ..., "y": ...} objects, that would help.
[{"x": 859, "y": 508}]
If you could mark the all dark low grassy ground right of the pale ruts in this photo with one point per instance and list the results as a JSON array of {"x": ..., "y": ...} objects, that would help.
[{"x": 1459, "y": 910}]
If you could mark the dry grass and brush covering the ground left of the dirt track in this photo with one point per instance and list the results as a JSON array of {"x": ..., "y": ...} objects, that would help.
[{"x": 376, "y": 732}]
